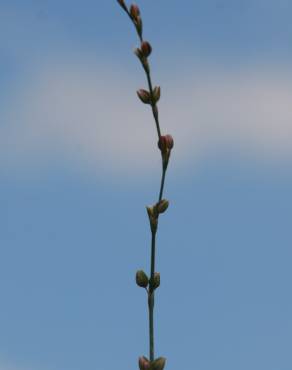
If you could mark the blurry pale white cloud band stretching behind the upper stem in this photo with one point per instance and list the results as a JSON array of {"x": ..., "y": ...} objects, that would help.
[{"x": 90, "y": 115}]
